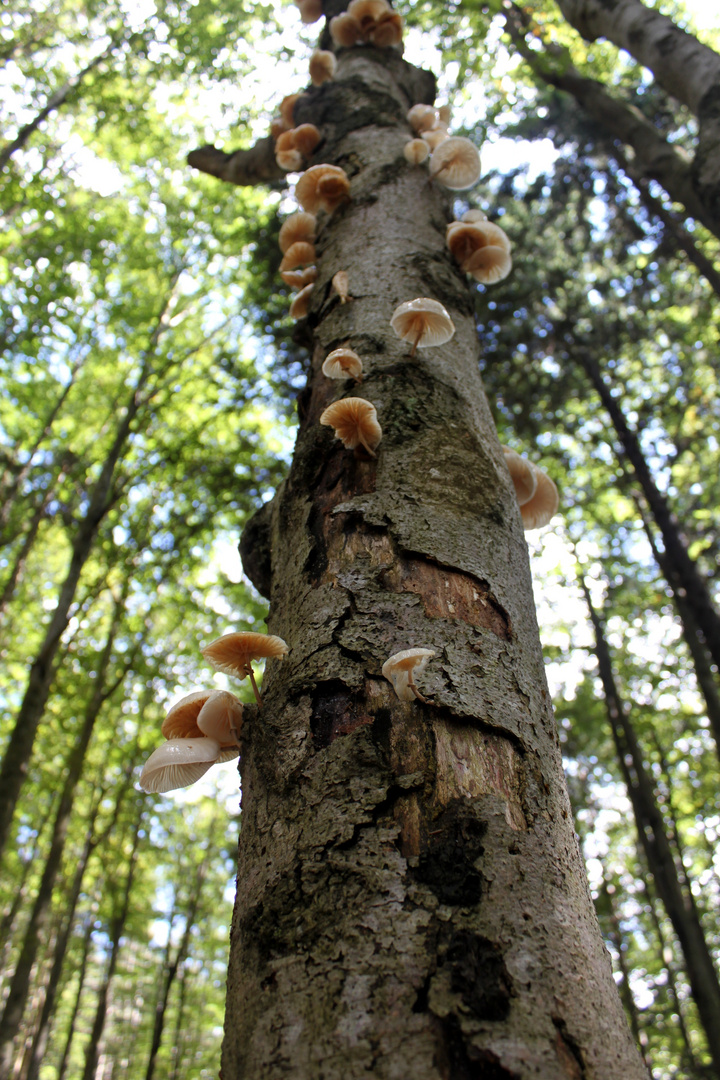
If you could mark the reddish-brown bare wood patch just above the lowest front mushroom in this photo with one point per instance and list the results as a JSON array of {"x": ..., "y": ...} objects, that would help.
[{"x": 450, "y": 595}]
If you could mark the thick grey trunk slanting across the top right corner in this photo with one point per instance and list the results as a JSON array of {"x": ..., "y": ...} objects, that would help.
[{"x": 686, "y": 69}]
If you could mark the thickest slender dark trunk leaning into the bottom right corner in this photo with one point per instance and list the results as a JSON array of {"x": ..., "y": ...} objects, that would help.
[{"x": 678, "y": 901}]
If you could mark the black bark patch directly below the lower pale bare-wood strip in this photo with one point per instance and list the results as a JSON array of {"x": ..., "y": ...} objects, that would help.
[{"x": 447, "y": 865}]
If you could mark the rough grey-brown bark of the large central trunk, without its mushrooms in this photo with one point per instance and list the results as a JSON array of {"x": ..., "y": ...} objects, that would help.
[{"x": 412, "y": 901}]
